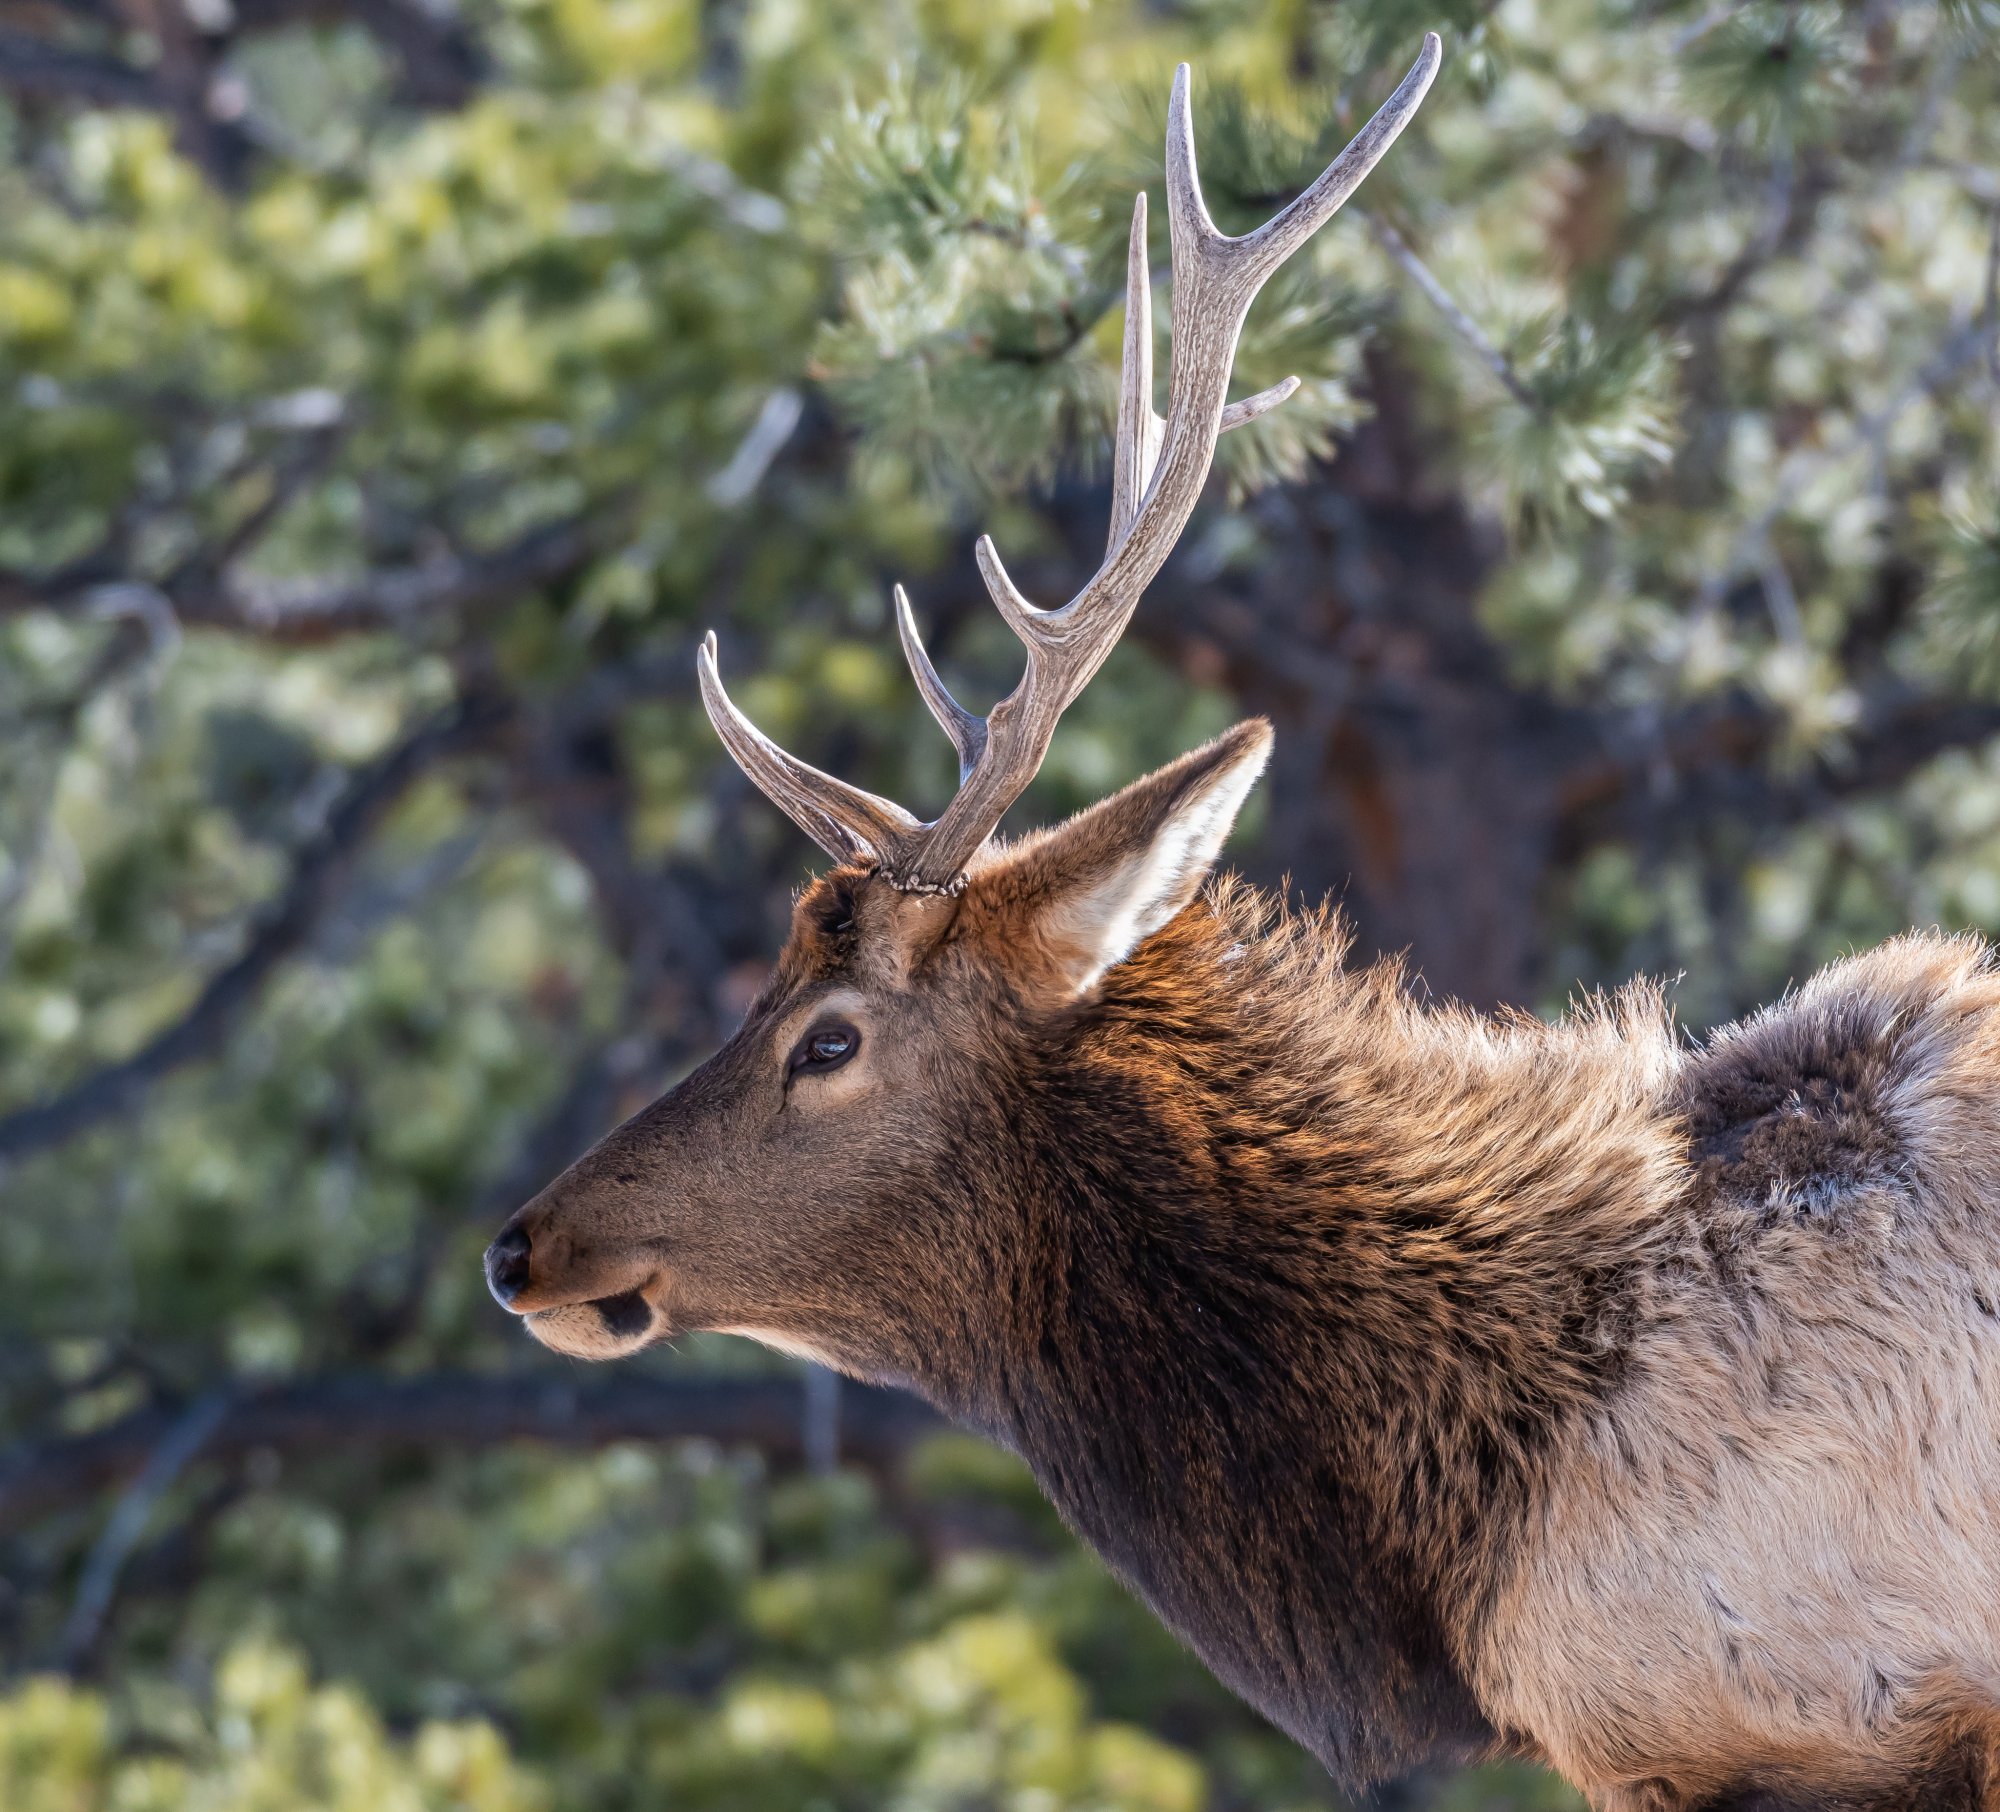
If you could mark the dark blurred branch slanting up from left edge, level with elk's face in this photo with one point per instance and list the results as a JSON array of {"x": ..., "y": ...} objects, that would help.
[{"x": 317, "y": 881}]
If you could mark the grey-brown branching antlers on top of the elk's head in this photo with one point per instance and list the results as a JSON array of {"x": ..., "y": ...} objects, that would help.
[{"x": 1159, "y": 473}]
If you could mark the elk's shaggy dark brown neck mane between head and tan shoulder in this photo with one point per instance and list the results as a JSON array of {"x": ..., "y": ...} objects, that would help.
[{"x": 1293, "y": 1283}]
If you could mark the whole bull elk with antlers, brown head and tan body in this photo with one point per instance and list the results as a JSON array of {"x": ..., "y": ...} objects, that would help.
[{"x": 1455, "y": 1387}]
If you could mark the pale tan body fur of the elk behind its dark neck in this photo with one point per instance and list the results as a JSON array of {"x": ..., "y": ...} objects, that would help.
[{"x": 1781, "y": 1537}]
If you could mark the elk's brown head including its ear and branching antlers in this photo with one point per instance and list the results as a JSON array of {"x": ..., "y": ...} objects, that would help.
[{"x": 825, "y": 1181}]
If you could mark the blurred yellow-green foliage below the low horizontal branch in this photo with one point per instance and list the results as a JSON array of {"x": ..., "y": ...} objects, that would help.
[{"x": 657, "y": 1631}]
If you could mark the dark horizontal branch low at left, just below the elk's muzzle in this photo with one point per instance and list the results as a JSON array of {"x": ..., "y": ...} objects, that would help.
[{"x": 461, "y": 1413}]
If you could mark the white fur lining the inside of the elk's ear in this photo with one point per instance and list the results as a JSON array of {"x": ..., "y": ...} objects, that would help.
[{"x": 1105, "y": 915}]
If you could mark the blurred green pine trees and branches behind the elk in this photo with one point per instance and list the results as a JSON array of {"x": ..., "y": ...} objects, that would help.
[{"x": 389, "y": 397}]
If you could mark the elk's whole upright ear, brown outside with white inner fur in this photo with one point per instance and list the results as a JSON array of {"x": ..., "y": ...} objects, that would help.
[{"x": 1067, "y": 905}]
